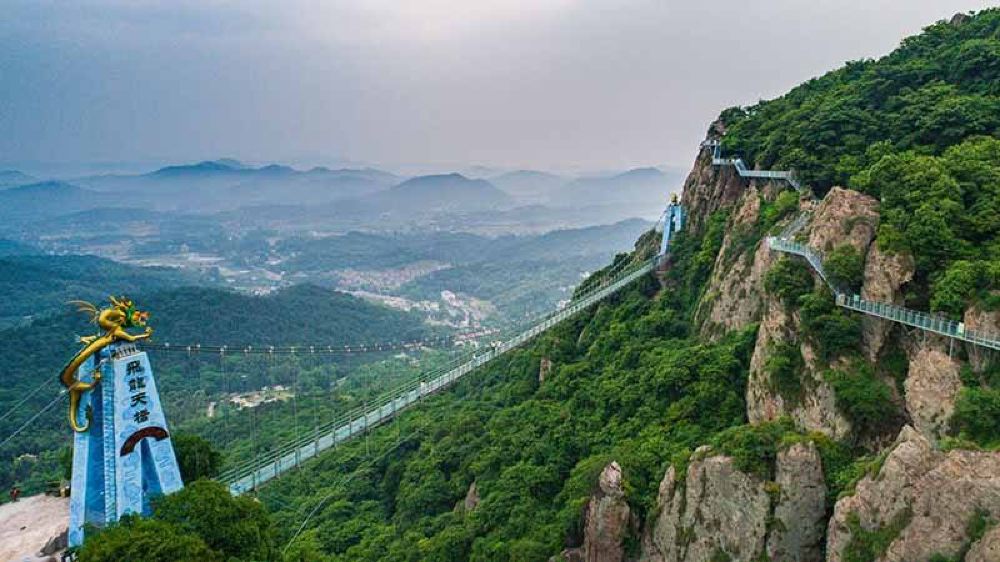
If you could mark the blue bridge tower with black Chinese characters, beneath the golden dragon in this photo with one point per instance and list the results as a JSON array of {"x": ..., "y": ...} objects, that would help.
[{"x": 125, "y": 457}]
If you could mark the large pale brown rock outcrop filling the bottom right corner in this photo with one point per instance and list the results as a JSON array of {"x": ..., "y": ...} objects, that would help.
[{"x": 934, "y": 494}]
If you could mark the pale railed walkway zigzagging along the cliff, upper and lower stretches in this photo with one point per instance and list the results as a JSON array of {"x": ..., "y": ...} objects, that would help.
[{"x": 784, "y": 242}]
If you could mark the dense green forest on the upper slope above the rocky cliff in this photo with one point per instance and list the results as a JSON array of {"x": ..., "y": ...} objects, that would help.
[{"x": 916, "y": 129}]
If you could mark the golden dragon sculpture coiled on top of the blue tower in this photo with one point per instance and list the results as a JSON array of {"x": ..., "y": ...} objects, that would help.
[{"x": 112, "y": 321}]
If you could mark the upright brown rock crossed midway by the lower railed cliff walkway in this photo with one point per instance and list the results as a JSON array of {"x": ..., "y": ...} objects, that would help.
[{"x": 885, "y": 275}]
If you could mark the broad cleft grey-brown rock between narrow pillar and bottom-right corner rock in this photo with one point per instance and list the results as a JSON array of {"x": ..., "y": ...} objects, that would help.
[{"x": 720, "y": 509}]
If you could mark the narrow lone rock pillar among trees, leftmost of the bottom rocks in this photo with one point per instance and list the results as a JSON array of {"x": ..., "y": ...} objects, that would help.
[{"x": 607, "y": 520}]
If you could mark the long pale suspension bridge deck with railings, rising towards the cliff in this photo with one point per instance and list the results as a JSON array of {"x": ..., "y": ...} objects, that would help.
[{"x": 262, "y": 468}]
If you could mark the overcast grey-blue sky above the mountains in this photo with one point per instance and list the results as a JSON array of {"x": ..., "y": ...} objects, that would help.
[{"x": 560, "y": 85}]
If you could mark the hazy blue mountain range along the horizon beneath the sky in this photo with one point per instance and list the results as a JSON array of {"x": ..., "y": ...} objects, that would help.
[{"x": 227, "y": 185}]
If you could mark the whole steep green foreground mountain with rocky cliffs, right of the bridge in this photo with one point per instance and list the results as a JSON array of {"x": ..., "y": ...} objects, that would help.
[{"x": 727, "y": 409}]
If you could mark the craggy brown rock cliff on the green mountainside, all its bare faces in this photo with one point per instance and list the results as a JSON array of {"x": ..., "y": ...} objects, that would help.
[{"x": 914, "y": 501}]
